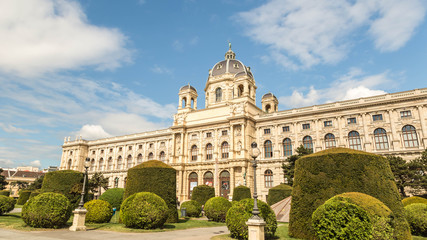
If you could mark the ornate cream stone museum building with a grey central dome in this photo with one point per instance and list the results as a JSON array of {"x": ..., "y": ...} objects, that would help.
[{"x": 211, "y": 145}]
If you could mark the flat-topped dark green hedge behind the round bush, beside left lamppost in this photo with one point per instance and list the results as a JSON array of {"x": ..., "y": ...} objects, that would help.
[{"x": 67, "y": 182}]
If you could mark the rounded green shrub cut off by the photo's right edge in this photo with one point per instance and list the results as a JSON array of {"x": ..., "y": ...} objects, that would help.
[{"x": 416, "y": 214}]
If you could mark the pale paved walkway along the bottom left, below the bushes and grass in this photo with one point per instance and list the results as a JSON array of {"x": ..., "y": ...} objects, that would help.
[{"x": 188, "y": 234}]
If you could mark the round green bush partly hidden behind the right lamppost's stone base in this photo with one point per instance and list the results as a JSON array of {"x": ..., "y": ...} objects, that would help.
[{"x": 241, "y": 211}]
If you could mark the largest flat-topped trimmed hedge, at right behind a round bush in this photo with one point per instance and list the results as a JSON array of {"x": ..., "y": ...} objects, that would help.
[{"x": 322, "y": 175}]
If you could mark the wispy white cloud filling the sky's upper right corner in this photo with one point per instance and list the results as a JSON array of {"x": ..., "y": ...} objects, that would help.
[{"x": 304, "y": 33}]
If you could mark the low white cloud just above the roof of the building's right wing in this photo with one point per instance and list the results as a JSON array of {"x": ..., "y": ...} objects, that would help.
[{"x": 355, "y": 84}]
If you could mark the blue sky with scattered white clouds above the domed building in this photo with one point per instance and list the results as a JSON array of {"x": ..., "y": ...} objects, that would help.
[{"x": 102, "y": 68}]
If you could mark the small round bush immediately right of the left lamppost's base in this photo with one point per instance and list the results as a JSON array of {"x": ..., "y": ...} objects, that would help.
[{"x": 98, "y": 211}]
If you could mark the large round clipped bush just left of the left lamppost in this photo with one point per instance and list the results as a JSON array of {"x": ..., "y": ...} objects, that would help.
[{"x": 47, "y": 210}]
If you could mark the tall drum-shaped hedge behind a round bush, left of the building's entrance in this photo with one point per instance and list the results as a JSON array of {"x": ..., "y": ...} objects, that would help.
[{"x": 156, "y": 177}]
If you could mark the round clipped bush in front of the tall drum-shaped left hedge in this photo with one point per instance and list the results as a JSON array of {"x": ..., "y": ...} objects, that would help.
[{"x": 144, "y": 210}]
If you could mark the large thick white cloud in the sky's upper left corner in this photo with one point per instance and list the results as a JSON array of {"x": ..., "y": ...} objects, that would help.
[{"x": 42, "y": 36}]
